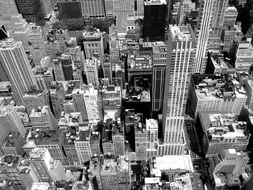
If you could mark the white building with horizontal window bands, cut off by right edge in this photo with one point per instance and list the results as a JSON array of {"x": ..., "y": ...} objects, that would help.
[{"x": 244, "y": 55}]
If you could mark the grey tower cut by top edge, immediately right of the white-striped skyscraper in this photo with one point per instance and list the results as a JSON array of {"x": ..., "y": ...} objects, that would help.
[{"x": 217, "y": 20}]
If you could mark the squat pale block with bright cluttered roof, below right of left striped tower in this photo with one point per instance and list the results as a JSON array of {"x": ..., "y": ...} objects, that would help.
[{"x": 42, "y": 118}]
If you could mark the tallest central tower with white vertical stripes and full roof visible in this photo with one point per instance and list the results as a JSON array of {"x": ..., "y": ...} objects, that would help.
[{"x": 181, "y": 53}]
